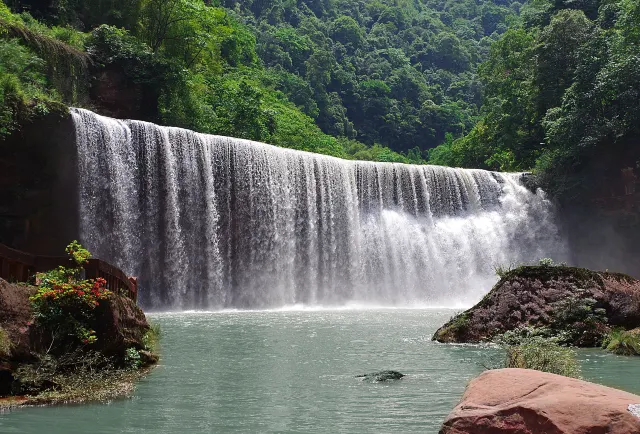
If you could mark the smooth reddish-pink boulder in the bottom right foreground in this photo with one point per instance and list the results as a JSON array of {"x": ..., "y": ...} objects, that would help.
[{"x": 522, "y": 401}]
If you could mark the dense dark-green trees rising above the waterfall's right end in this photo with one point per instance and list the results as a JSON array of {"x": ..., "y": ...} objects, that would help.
[{"x": 561, "y": 91}]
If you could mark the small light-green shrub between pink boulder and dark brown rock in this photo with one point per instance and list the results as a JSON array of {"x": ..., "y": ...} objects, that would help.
[{"x": 544, "y": 355}]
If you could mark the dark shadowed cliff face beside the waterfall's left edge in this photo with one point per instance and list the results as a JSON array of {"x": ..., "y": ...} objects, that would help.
[{"x": 38, "y": 183}]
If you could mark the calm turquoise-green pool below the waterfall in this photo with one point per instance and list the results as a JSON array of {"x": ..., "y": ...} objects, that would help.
[{"x": 293, "y": 372}]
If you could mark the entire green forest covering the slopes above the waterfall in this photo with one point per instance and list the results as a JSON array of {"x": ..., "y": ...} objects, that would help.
[{"x": 544, "y": 85}]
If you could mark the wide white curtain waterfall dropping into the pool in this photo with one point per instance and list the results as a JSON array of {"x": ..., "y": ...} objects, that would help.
[{"x": 210, "y": 222}]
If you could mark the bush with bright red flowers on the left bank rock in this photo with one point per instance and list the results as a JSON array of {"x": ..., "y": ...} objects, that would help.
[{"x": 64, "y": 302}]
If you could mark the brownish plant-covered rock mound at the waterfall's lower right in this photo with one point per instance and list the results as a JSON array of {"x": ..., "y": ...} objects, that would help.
[{"x": 527, "y": 295}]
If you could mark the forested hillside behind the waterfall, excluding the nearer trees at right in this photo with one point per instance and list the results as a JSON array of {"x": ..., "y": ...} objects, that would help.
[{"x": 381, "y": 80}]
